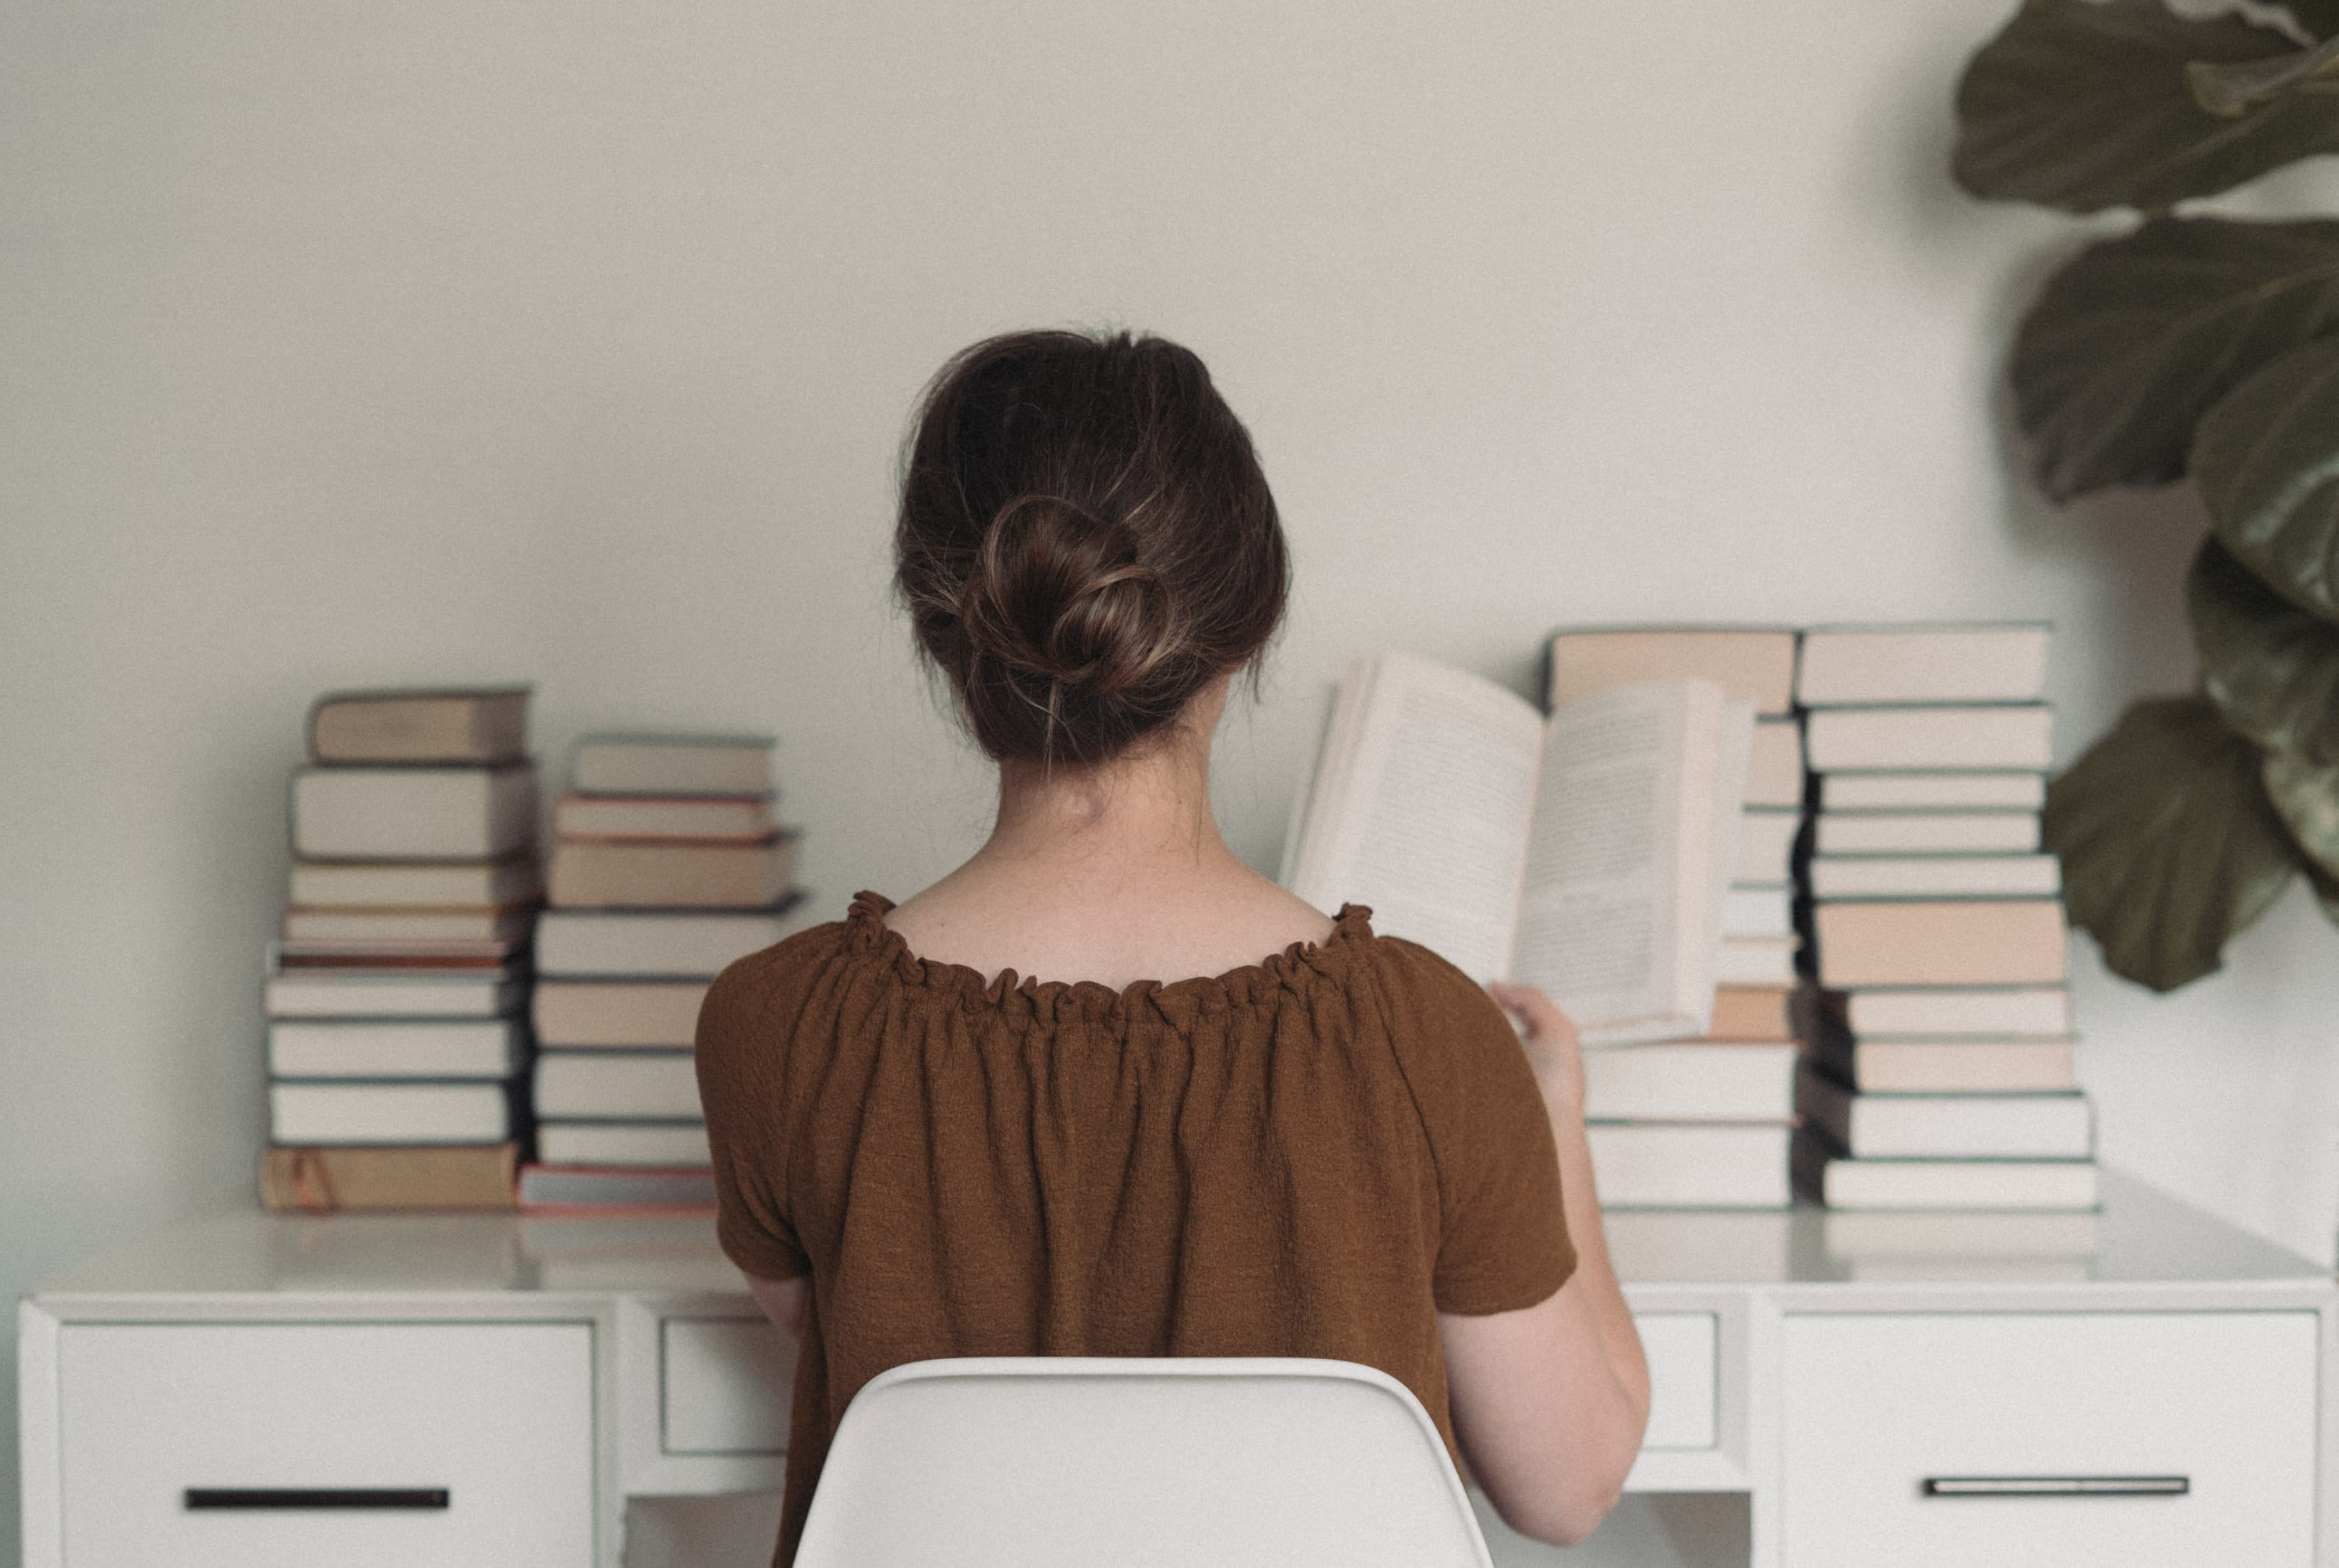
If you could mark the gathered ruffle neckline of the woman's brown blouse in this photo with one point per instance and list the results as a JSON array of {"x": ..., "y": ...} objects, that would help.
[{"x": 874, "y": 940}]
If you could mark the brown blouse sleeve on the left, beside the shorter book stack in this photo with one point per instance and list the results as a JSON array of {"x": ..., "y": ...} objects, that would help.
[{"x": 743, "y": 1045}]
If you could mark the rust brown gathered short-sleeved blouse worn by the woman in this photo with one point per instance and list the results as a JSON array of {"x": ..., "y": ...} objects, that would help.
[{"x": 1313, "y": 1155}]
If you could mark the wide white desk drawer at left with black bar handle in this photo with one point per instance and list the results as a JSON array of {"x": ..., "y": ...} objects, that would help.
[{"x": 492, "y": 1417}]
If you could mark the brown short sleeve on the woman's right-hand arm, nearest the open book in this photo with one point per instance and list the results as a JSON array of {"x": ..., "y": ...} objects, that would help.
[{"x": 1503, "y": 1239}]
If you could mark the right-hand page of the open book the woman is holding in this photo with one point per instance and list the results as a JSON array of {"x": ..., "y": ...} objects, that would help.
[{"x": 1620, "y": 862}]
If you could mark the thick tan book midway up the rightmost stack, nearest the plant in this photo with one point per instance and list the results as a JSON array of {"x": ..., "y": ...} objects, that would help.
[{"x": 1943, "y": 942}]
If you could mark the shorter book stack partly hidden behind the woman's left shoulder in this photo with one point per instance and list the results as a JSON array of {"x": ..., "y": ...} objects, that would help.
[{"x": 668, "y": 865}]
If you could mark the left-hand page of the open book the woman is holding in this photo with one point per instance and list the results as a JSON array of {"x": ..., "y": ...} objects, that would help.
[{"x": 1430, "y": 823}]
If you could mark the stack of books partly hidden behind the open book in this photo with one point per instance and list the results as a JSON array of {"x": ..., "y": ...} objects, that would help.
[{"x": 1706, "y": 1122}]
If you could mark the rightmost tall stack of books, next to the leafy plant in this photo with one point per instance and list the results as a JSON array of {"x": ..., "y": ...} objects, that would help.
[{"x": 1940, "y": 1024}]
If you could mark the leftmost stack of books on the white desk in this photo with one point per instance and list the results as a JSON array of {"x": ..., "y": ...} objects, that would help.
[{"x": 396, "y": 993}]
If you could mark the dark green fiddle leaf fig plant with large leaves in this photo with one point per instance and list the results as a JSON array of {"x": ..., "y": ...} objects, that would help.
[{"x": 2188, "y": 350}]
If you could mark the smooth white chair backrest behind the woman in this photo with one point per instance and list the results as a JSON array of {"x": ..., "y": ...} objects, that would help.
[{"x": 1138, "y": 1464}]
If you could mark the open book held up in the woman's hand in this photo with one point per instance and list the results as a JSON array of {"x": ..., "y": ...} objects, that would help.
[{"x": 1585, "y": 853}]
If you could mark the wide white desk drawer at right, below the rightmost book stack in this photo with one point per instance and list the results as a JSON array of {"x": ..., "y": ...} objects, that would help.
[{"x": 1882, "y": 1405}]
